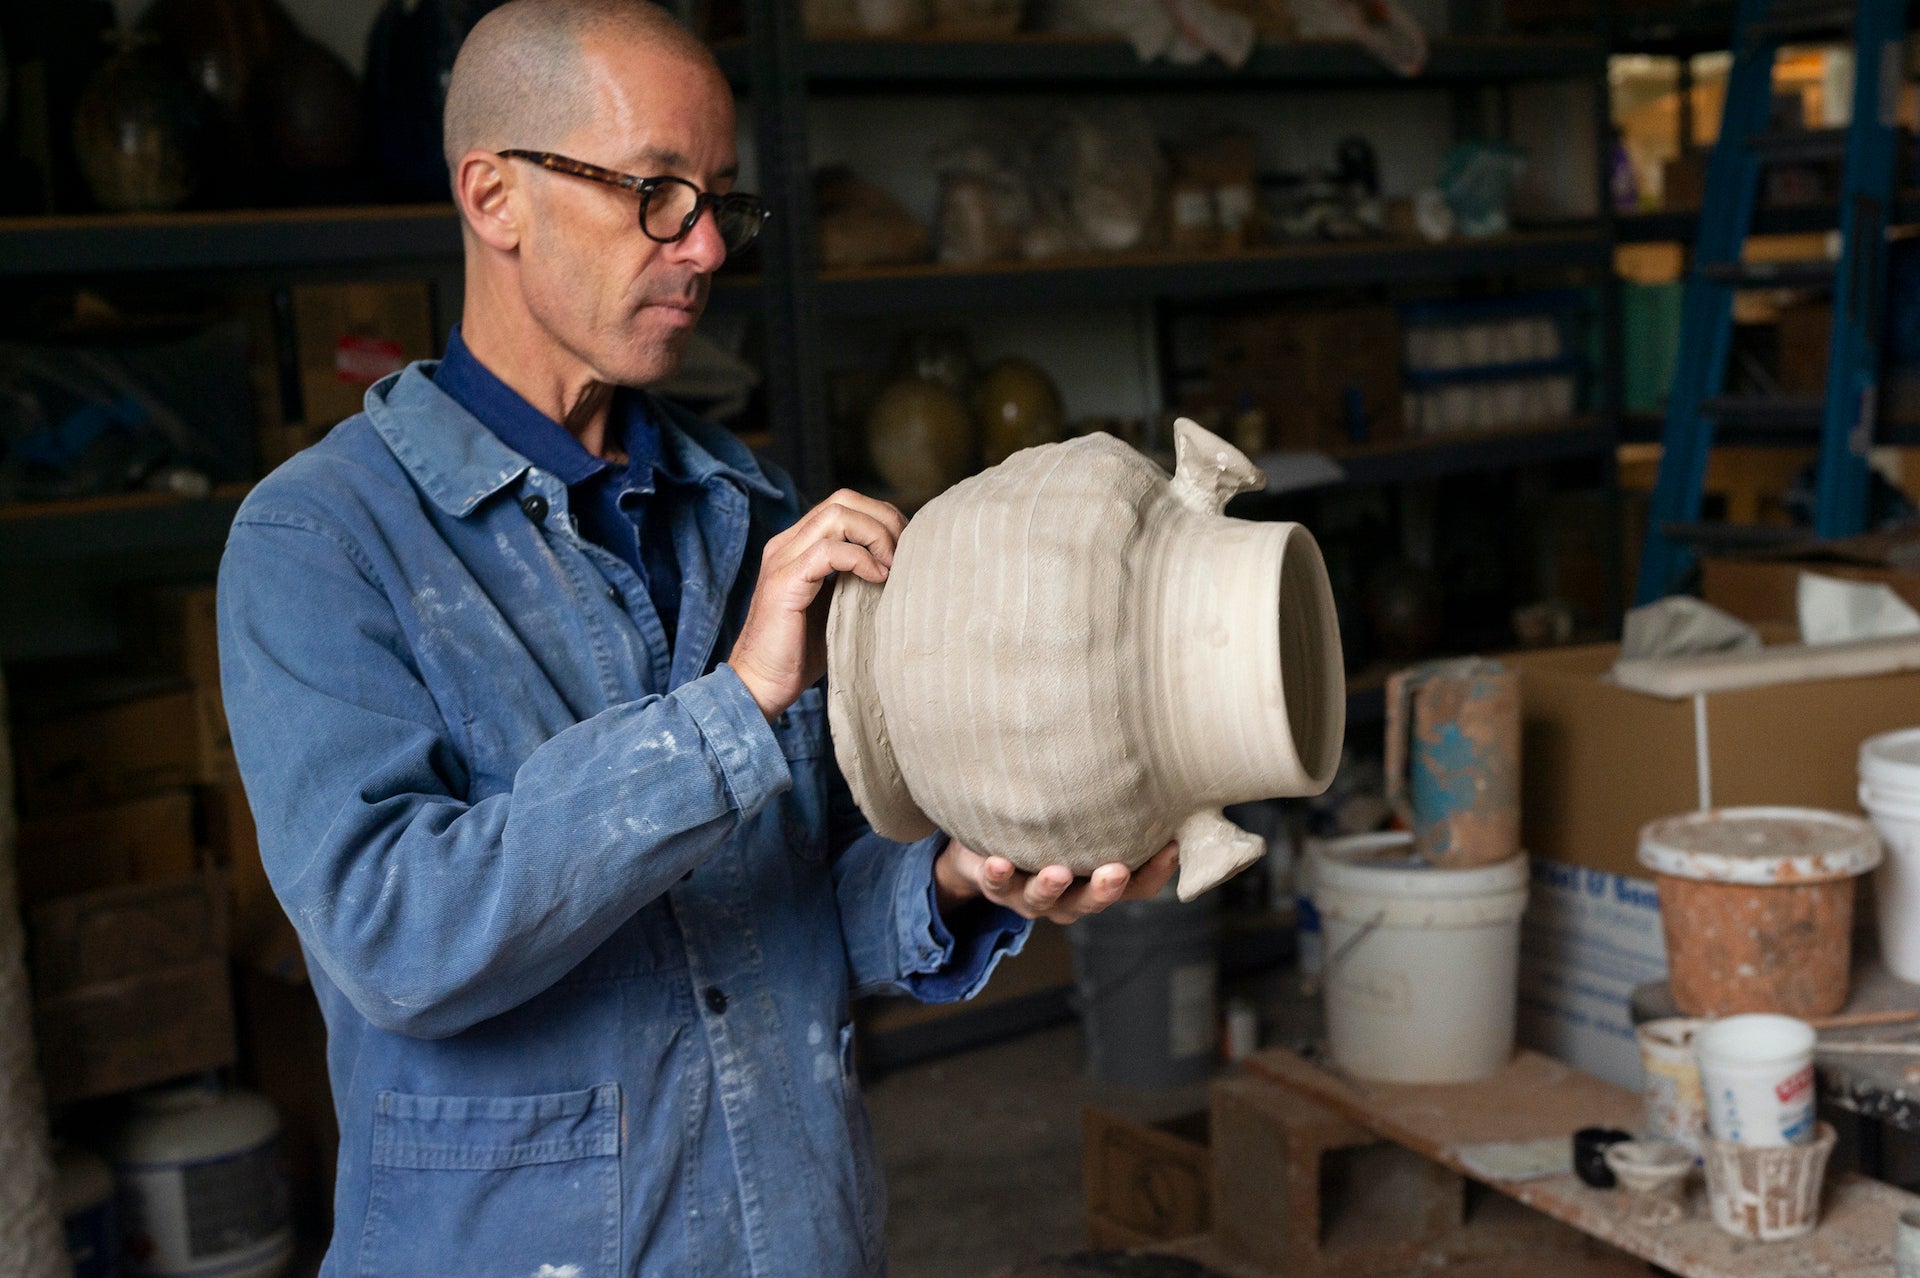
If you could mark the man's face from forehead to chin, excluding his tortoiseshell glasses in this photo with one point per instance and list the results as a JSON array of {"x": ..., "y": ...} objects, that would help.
[{"x": 617, "y": 300}]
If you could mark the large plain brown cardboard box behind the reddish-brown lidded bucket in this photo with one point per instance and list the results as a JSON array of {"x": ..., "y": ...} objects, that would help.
[{"x": 1600, "y": 761}]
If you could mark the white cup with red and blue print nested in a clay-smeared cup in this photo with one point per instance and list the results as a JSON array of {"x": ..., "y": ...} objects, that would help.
[{"x": 1758, "y": 1076}]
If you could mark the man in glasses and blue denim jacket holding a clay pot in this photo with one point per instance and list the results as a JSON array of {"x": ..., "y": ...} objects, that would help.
[{"x": 581, "y": 901}]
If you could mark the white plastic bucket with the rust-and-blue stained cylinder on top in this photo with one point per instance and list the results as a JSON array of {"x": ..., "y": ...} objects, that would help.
[{"x": 1422, "y": 962}]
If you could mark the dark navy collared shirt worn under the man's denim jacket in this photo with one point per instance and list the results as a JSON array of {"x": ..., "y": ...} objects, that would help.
[{"x": 625, "y": 509}]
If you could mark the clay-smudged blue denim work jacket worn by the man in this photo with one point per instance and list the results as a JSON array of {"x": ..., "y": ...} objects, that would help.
[{"x": 583, "y": 924}]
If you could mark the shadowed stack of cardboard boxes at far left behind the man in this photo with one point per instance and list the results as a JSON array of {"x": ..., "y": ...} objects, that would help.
[{"x": 128, "y": 914}]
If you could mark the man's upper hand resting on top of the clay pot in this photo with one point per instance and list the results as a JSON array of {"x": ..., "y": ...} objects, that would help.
[{"x": 782, "y": 648}]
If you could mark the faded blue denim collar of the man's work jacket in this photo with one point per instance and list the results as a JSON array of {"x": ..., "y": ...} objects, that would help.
[{"x": 460, "y": 463}]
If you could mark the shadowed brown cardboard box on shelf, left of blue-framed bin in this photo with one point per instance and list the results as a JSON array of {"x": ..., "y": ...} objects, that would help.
[{"x": 1308, "y": 369}]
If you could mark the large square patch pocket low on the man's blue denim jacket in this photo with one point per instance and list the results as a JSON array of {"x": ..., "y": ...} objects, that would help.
[{"x": 494, "y": 1185}]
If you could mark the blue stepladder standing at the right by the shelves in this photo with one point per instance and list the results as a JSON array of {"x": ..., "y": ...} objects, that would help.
[{"x": 1844, "y": 417}]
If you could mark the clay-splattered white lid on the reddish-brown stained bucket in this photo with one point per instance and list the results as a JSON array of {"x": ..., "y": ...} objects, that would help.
[{"x": 1760, "y": 845}]
